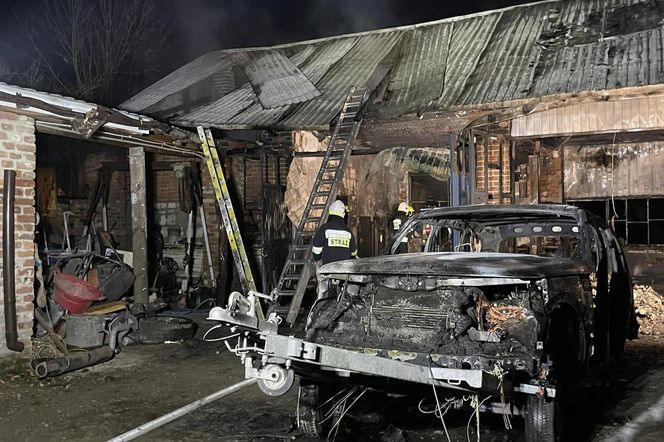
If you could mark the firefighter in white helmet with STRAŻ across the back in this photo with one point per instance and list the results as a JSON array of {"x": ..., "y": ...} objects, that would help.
[{"x": 332, "y": 242}]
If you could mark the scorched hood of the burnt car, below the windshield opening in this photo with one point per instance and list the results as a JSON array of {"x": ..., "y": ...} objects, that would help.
[{"x": 500, "y": 265}]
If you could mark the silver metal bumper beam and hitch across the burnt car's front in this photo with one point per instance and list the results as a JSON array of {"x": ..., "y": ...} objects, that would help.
[{"x": 274, "y": 360}]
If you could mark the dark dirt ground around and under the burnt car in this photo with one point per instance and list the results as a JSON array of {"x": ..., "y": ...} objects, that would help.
[{"x": 144, "y": 382}]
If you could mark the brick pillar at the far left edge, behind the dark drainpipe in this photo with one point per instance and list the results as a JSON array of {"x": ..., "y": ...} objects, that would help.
[{"x": 17, "y": 152}]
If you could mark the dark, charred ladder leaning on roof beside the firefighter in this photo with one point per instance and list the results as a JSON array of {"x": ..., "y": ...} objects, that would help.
[{"x": 296, "y": 273}]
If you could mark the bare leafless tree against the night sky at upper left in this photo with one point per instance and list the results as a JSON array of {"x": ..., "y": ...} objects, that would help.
[{"x": 91, "y": 49}]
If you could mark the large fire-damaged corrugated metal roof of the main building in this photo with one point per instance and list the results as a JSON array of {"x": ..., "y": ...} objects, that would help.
[{"x": 528, "y": 51}]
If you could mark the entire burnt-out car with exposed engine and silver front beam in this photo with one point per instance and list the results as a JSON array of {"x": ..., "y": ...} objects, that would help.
[{"x": 513, "y": 304}]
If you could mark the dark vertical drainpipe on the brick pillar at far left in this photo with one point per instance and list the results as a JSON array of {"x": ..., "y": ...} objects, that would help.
[{"x": 8, "y": 261}]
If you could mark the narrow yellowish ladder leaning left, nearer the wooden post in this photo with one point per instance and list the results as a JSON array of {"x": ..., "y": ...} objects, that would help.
[{"x": 228, "y": 214}]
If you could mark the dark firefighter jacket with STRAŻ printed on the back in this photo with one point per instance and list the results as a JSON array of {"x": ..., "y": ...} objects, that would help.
[{"x": 334, "y": 241}]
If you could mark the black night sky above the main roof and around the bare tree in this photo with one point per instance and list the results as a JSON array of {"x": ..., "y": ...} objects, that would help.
[{"x": 199, "y": 26}]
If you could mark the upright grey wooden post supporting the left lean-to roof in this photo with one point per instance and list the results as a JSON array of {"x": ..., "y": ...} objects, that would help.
[{"x": 139, "y": 219}]
